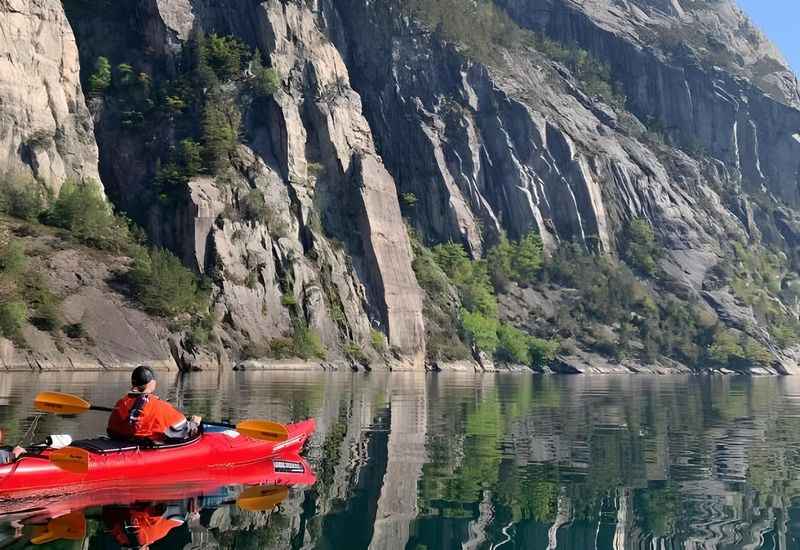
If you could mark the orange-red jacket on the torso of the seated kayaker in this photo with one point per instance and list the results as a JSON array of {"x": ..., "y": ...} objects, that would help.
[{"x": 142, "y": 416}]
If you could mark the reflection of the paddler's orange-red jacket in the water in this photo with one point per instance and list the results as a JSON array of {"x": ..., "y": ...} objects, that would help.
[{"x": 141, "y": 525}]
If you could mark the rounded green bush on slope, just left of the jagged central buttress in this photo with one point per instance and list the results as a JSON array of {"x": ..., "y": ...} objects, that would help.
[{"x": 163, "y": 286}]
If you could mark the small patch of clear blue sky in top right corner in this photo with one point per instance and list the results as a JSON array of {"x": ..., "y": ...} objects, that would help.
[{"x": 780, "y": 20}]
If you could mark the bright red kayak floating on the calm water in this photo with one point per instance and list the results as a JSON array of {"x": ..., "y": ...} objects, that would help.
[{"x": 113, "y": 464}]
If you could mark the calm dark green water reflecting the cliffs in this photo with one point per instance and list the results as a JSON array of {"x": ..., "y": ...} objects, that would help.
[{"x": 483, "y": 462}]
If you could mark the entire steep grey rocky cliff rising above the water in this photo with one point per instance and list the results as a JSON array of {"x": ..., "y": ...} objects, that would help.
[{"x": 692, "y": 127}]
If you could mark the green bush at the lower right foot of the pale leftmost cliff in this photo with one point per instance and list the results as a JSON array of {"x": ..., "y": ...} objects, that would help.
[{"x": 82, "y": 210}]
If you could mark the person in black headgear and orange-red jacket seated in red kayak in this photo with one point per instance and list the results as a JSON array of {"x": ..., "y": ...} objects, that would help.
[{"x": 141, "y": 415}]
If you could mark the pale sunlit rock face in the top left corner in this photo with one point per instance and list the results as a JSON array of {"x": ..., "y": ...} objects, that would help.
[{"x": 45, "y": 127}]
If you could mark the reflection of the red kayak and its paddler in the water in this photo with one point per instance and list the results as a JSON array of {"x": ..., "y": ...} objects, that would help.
[{"x": 138, "y": 517}]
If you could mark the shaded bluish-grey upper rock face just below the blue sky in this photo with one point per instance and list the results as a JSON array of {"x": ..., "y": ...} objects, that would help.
[{"x": 741, "y": 106}]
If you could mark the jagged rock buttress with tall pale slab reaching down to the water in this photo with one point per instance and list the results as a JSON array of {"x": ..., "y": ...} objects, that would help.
[{"x": 334, "y": 241}]
